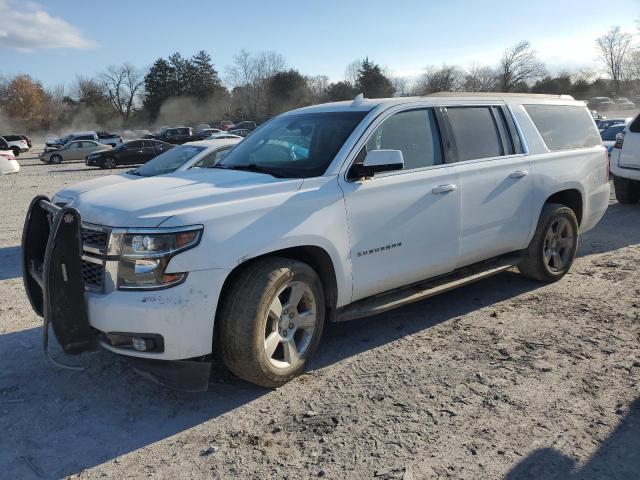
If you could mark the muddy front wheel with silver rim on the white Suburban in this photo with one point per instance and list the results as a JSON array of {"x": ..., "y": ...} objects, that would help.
[{"x": 271, "y": 321}]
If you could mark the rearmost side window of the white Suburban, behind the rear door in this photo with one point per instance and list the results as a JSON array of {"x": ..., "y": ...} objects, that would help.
[{"x": 564, "y": 127}]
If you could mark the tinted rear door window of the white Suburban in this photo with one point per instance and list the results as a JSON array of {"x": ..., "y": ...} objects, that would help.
[{"x": 475, "y": 133}]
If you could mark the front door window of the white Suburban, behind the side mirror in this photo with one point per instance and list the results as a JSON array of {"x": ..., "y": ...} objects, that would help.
[{"x": 415, "y": 133}]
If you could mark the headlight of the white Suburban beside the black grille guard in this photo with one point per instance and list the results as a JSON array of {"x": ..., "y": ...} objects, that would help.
[{"x": 144, "y": 257}]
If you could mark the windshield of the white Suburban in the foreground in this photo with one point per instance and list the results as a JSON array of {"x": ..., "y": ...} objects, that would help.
[{"x": 294, "y": 146}]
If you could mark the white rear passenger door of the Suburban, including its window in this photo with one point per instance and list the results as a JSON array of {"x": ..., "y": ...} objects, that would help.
[{"x": 495, "y": 182}]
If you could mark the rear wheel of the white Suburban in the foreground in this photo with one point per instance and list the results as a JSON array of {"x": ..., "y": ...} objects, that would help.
[{"x": 553, "y": 246}]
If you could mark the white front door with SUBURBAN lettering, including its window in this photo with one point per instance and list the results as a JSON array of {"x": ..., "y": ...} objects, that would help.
[{"x": 404, "y": 226}]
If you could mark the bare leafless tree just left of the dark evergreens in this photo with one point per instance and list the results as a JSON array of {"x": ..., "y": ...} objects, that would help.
[{"x": 122, "y": 85}]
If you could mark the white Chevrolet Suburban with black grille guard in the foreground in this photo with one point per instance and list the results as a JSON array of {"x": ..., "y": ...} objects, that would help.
[{"x": 326, "y": 213}]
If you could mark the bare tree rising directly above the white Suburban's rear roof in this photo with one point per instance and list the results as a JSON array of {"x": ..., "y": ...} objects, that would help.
[{"x": 519, "y": 66}]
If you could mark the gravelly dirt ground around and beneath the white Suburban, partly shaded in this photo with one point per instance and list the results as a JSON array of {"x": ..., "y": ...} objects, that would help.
[{"x": 506, "y": 378}]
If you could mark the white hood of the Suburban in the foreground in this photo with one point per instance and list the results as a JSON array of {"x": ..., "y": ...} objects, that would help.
[{"x": 150, "y": 201}]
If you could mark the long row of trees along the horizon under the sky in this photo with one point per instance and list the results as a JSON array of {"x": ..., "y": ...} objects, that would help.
[{"x": 259, "y": 85}]
